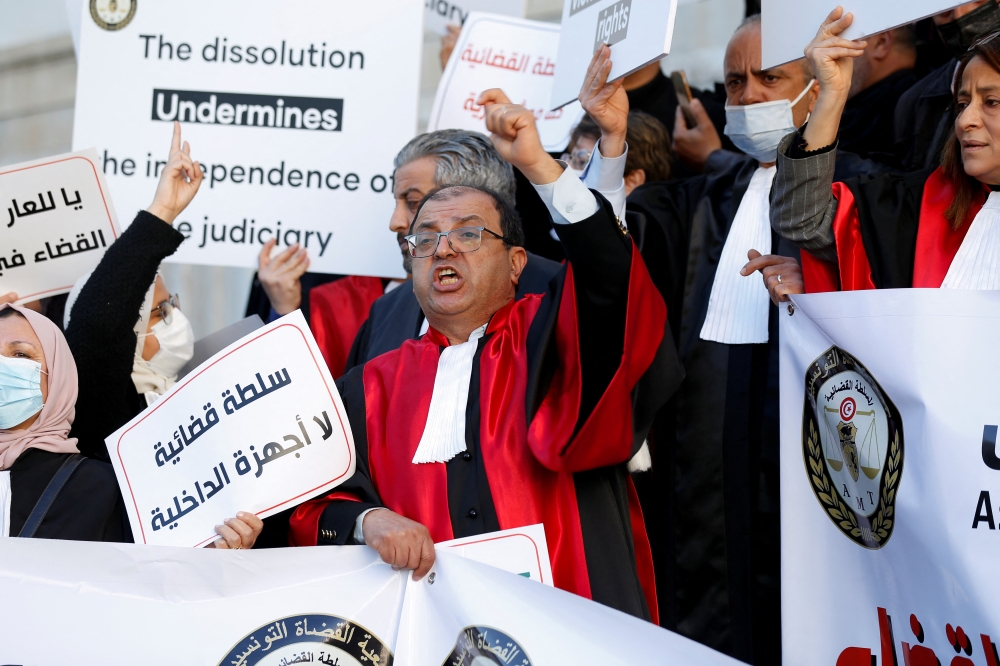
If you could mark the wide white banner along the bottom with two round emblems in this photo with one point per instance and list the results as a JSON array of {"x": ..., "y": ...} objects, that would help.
[{"x": 90, "y": 603}]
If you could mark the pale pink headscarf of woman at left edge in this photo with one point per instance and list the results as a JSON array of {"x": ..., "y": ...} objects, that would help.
[{"x": 49, "y": 431}]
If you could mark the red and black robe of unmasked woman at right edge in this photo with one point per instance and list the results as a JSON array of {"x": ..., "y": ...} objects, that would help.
[{"x": 890, "y": 233}]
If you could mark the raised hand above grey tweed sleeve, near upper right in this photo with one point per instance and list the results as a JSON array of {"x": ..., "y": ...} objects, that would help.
[{"x": 832, "y": 60}]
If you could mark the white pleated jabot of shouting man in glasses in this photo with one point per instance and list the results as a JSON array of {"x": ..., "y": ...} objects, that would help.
[{"x": 444, "y": 432}]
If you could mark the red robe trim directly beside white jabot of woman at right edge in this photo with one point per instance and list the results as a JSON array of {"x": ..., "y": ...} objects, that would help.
[{"x": 937, "y": 242}]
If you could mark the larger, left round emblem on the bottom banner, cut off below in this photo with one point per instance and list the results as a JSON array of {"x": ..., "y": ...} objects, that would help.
[{"x": 307, "y": 638}]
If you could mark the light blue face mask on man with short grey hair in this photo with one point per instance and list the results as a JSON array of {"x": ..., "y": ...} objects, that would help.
[{"x": 757, "y": 129}]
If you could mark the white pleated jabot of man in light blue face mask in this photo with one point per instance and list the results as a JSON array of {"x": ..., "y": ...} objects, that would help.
[{"x": 739, "y": 306}]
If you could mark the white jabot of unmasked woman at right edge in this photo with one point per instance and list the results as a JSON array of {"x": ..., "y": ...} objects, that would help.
[{"x": 977, "y": 263}]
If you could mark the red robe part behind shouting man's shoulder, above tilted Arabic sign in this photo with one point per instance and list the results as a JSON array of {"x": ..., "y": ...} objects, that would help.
[{"x": 336, "y": 312}]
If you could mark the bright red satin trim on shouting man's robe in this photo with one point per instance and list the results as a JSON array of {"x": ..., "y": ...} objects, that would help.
[{"x": 398, "y": 389}]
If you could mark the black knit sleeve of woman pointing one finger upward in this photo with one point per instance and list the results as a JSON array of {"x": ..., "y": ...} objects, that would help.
[{"x": 100, "y": 332}]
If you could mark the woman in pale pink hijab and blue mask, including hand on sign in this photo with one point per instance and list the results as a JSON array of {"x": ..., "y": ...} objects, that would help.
[{"x": 47, "y": 489}]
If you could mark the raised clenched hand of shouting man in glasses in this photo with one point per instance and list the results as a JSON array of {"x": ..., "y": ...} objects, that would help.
[{"x": 515, "y": 136}]
